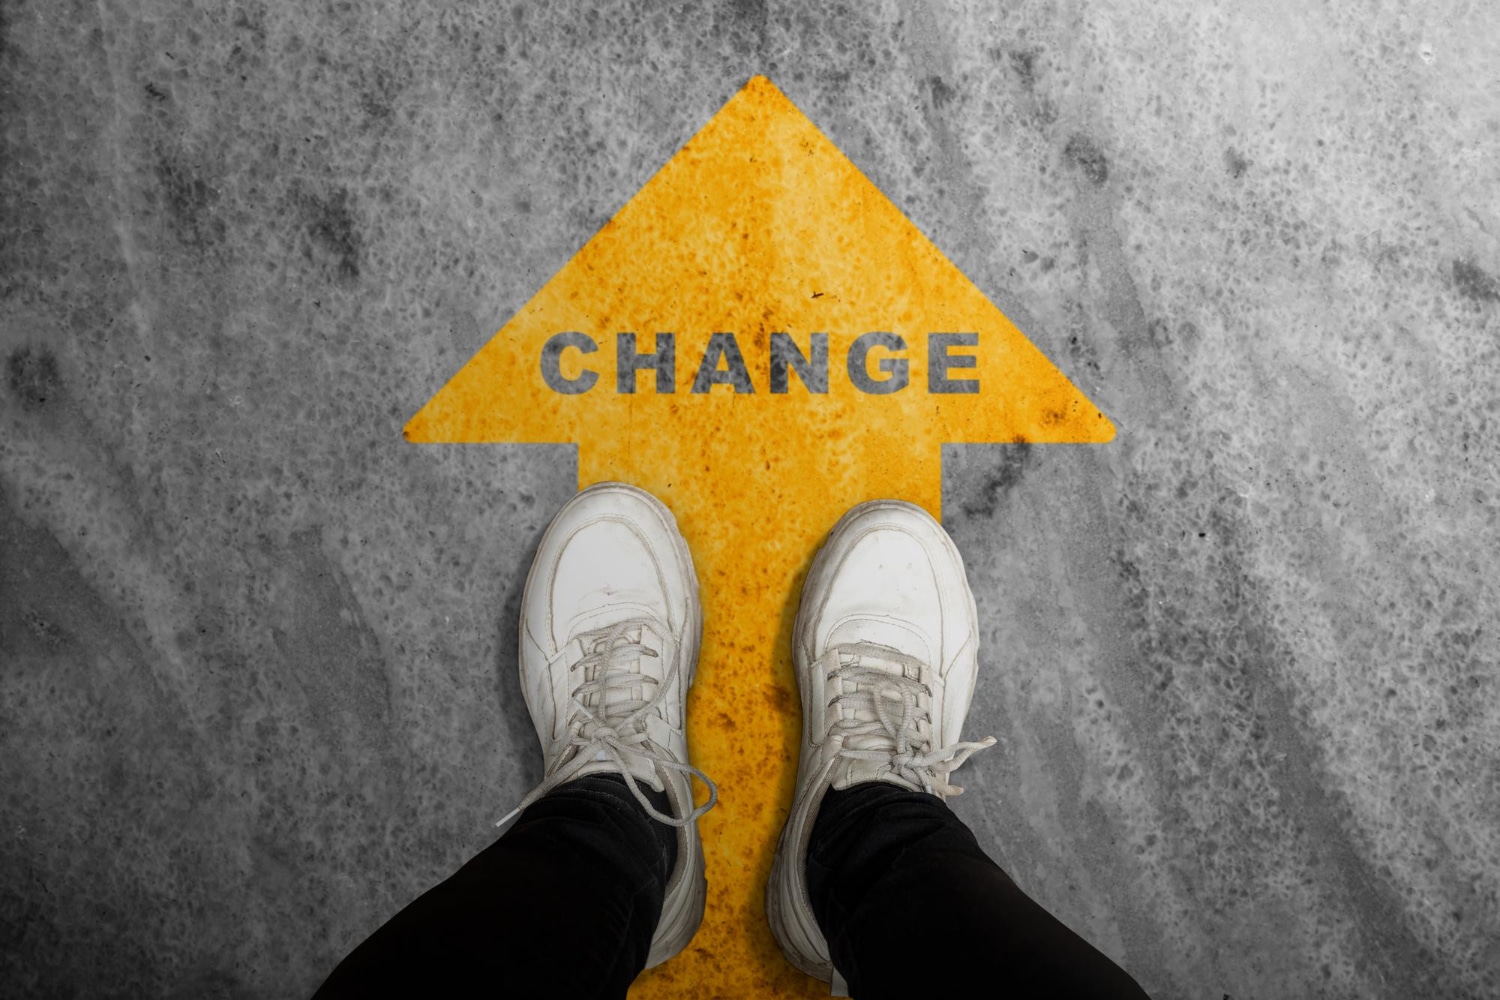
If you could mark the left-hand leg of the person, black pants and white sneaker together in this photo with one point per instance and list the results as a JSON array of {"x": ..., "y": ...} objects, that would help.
[{"x": 604, "y": 873}]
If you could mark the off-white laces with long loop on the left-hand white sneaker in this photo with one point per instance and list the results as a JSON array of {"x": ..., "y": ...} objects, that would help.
[{"x": 607, "y": 728}]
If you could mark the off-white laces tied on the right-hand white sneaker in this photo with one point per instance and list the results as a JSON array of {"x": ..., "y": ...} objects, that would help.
[{"x": 895, "y": 735}]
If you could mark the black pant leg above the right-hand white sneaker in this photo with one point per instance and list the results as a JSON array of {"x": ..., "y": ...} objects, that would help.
[{"x": 913, "y": 908}]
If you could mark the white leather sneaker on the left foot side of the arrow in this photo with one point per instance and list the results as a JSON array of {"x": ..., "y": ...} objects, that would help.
[{"x": 610, "y": 638}]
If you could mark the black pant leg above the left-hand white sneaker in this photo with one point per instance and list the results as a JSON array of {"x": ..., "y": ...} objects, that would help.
[{"x": 563, "y": 905}]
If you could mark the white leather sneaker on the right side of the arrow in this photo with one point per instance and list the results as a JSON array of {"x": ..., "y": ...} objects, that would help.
[{"x": 886, "y": 654}]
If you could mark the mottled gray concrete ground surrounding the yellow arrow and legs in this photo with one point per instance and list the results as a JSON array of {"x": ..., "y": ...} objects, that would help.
[{"x": 256, "y": 651}]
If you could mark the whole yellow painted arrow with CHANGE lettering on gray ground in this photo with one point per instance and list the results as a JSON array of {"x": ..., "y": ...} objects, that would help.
[{"x": 758, "y": 226}]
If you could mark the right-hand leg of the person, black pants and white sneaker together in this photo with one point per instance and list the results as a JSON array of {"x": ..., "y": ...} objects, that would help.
[{"x": 875, "y": 878}]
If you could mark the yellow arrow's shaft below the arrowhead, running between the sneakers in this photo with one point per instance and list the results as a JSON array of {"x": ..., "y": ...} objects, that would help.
[{"x": 754, "y": 515}]
